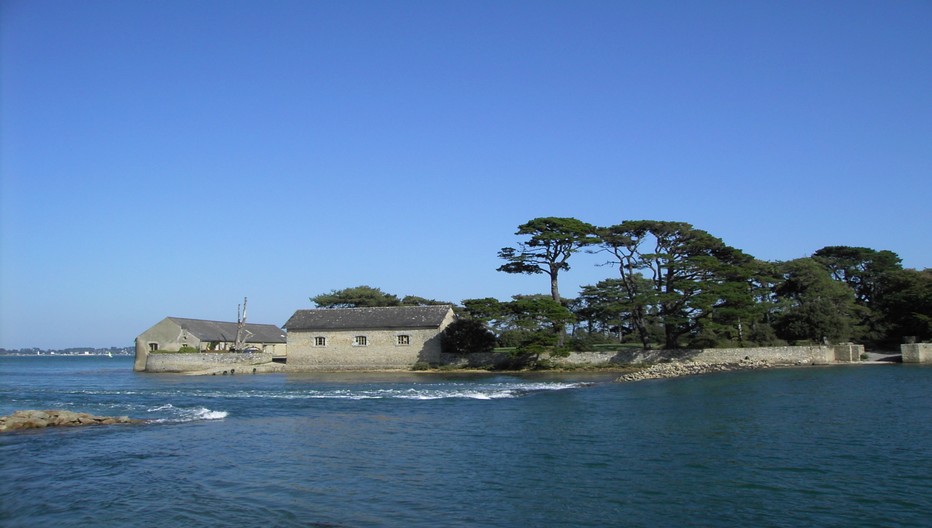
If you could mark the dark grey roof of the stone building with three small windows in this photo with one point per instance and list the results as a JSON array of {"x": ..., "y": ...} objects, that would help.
[{"x": 369, "y": 318}]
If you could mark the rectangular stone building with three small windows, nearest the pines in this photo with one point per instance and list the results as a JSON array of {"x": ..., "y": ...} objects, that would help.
[{"x": 385, "y": 338}]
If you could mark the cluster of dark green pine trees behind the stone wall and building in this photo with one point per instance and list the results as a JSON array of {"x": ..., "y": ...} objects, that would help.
[{"x": 675, "y": 286}]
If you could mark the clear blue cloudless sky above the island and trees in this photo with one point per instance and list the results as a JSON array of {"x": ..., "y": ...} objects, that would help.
[{"x": 170, "y": 158}]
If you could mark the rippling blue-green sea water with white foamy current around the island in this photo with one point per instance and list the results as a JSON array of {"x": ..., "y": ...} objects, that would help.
[{"x": 817, "y": 446}]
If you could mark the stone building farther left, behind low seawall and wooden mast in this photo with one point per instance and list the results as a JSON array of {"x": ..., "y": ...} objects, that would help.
[{"x": 173, "y": 333}]
